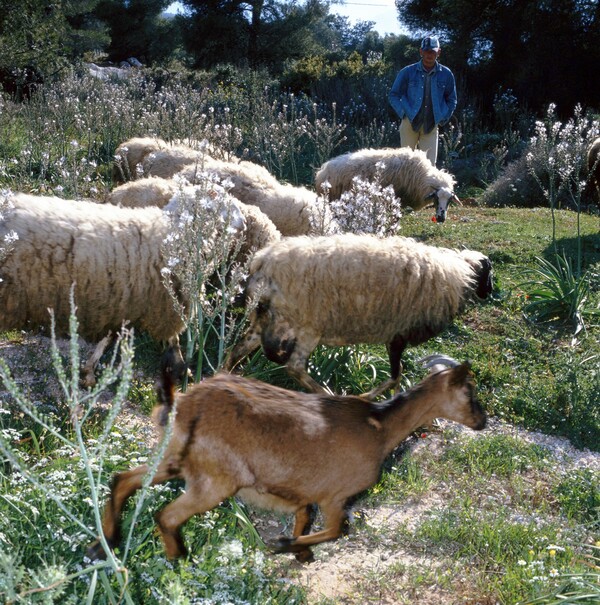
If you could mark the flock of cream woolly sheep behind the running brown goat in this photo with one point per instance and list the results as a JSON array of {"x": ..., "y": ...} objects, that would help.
[{"x": 112, "y": 252}]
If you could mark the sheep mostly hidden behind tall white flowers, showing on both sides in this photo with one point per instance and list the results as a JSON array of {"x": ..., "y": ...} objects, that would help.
[{"x": 259, "y": 230}]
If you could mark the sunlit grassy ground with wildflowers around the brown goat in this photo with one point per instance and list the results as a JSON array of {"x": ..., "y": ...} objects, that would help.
[{"x": 500, "y": 518}]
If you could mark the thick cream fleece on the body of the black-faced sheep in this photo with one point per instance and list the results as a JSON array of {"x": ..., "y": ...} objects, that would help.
[{"x": 346, "y": 289}]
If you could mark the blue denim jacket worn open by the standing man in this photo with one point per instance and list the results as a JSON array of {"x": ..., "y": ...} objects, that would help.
[{"x": 406, "y": 94}]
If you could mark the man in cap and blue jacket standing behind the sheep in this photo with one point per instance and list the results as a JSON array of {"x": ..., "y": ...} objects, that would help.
[{"x": 424, "y": 97}]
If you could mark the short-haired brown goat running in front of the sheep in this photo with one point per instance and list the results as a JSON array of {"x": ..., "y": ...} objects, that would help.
[{"x": 283, "y": 450}]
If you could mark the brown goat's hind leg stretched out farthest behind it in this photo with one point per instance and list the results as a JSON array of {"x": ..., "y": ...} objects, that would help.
[{"x": 124, "y": 485}]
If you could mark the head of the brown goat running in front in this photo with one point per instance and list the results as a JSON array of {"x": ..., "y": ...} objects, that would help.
[{"x": 453, "y": 381}]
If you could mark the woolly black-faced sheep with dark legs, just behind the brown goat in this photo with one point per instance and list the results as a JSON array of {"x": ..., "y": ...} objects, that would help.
[{"x": 349, "y": 289}]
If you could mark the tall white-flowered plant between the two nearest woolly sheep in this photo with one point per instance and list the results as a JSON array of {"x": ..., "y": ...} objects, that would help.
[{"x": 202, "y": 272}]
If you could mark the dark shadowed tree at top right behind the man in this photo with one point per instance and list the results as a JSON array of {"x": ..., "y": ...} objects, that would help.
[{"x": 543, "y": 51}]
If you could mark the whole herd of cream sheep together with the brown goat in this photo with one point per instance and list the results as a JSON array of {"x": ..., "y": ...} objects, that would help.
[{"x": 314, "y": 286}]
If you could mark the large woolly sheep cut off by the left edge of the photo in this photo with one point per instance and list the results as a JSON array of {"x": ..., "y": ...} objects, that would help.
[{"x": 112, "y": 255}]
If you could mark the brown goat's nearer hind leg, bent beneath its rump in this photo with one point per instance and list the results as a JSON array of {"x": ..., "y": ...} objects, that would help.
[{"x": 198, "y": 498}]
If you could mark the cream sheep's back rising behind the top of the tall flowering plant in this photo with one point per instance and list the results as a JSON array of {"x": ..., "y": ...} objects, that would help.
[{"x": 293, "y": 210}]
